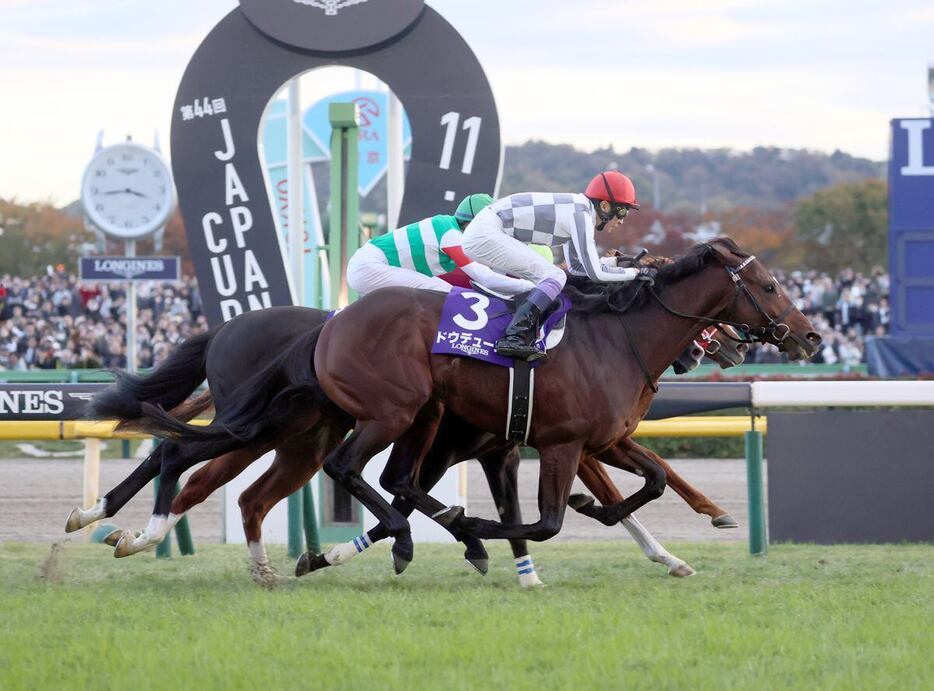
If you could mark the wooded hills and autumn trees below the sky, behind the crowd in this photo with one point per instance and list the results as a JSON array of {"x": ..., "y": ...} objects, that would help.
[{"x": 797, "y": 208}]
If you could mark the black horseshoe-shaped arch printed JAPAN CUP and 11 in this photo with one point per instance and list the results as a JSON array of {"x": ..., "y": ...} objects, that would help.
[{"x": 247, "y": 58}]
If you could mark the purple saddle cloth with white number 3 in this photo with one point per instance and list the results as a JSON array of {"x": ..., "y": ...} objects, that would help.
[{"x": 472, "y": 321}]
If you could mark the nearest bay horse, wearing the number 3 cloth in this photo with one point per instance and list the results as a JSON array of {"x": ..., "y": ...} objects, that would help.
[{"x": 374, "y": 361}]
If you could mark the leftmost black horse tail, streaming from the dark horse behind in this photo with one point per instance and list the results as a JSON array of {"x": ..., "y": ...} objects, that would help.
[{"x": 167, "y": 386}]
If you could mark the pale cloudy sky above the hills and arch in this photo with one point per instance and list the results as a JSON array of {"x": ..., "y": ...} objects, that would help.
[{"x": 816, "y": 74}]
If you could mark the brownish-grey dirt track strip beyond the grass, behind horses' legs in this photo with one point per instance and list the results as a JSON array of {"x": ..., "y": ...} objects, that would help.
[{"x": 36, "y": 496}]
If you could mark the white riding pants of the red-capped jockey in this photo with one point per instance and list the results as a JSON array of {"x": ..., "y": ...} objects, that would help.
[{"x": 485, "y": 241}]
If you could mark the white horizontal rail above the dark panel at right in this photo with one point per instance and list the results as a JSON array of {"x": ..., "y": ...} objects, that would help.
[{"x": 767, "y": 394}]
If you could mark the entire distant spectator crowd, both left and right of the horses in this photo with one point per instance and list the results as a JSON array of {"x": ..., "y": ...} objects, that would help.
[{"x": 53, "y": 321}]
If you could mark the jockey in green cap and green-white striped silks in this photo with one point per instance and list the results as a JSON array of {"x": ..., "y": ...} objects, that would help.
[{"x": 415, "y": 255}]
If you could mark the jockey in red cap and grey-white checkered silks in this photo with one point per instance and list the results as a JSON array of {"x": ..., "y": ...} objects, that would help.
[{"x": 500, "y": 234}]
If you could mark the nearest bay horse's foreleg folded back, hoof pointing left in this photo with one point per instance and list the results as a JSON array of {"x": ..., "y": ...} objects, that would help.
[{"x": 557, "y": 468}]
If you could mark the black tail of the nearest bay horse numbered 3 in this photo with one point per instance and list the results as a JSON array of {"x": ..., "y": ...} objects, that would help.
[{"x": 264, "y": 403}]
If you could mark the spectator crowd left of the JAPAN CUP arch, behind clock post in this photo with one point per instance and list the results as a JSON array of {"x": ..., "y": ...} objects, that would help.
[{"x": 55, "y": 322}]
